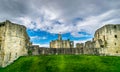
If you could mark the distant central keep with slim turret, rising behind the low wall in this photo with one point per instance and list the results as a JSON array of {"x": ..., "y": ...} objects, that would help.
[{"x": 59, "y": 43}]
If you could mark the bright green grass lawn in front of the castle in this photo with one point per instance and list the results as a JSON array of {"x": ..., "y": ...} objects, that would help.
[{"x": 64, "y": 63}]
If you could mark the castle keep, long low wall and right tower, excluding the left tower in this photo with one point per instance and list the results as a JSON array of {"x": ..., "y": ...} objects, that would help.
[{"x": 106, "y": 41}]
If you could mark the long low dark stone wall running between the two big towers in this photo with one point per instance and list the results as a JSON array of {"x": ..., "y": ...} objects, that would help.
[{"x": 36, "y": 50}]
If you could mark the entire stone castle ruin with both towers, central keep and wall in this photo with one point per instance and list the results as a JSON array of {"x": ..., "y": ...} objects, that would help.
[{"x": 15, "y": 42}]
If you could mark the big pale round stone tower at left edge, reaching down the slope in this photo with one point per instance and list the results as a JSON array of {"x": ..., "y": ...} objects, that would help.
[{"x": 13, "y": 42}]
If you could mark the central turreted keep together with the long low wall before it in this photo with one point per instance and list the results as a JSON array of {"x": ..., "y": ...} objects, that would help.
[{"x": 58, "y": 46}]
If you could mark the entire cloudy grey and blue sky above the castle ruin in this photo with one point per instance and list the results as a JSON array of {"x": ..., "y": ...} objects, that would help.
[{"x": 75, "y": 19}]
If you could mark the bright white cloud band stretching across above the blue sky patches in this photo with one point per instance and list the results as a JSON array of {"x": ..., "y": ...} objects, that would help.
[{"x": 88, "y": 25}]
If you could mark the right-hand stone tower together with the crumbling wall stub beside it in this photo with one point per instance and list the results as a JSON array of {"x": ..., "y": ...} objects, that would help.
[{"x": 106, "y": 41}]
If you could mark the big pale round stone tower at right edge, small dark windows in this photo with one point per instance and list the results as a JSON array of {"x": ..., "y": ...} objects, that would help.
[{"x": 108, "y": 38}]
